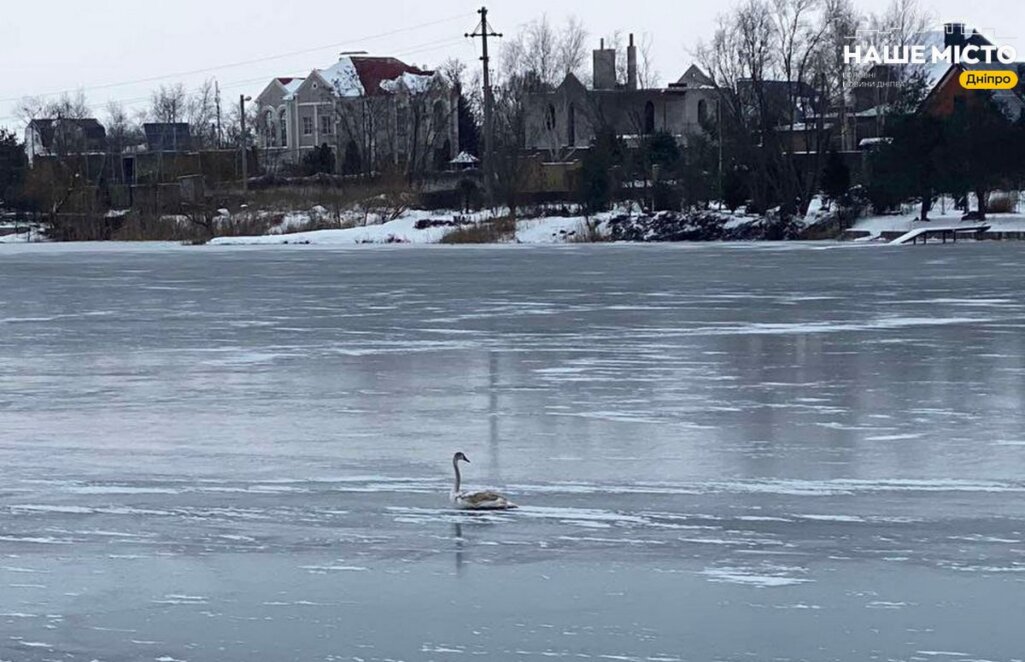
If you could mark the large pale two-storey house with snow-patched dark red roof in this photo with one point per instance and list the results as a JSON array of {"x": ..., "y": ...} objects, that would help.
[{"x": 376, "y": 114}]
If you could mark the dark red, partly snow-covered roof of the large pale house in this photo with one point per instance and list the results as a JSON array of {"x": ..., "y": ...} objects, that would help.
[{"x": 366, "y": 76}]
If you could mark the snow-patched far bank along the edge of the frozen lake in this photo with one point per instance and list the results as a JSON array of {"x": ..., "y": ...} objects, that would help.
[{"x": 555, "y": 226}]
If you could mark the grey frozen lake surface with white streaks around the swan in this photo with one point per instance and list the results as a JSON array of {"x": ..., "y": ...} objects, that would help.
[{"x": 774, "y": 452}]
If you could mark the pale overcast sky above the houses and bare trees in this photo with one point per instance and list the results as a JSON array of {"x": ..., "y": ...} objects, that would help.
[{"x": 121, "y": 50}]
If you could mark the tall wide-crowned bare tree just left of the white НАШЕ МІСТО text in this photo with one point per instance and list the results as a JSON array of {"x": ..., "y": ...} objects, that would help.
[{"x": 768, "y": 61}]
